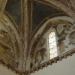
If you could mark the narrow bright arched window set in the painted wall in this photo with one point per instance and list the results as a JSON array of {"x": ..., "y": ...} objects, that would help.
[{"x": 53, "y": 45}]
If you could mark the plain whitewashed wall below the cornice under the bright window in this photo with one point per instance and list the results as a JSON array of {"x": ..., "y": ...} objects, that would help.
[{"x": 64, "y": 67}]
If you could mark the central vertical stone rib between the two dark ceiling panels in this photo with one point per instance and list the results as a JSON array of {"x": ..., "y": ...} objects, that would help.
[{"x": 25, "y": 29}]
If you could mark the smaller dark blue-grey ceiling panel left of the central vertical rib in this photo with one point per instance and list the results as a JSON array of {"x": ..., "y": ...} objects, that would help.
[{"x": 13, "y": 8}]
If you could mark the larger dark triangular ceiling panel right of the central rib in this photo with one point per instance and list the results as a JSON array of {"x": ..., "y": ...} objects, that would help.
[{"x": 42, "y": 12}]
